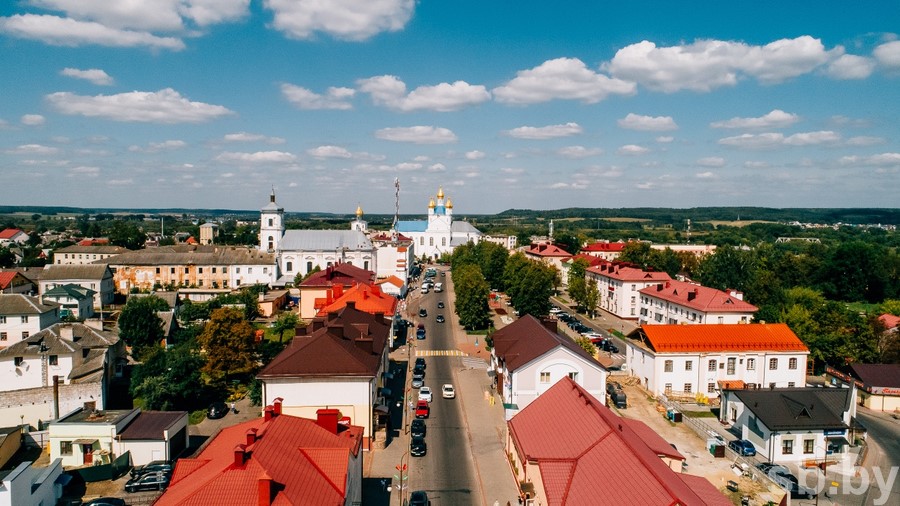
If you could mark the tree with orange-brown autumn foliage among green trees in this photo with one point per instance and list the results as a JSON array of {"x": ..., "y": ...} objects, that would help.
[{"x": 228, "y": 340}]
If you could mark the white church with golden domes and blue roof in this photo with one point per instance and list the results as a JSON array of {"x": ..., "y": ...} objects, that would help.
[{"x": 438, "y": 234}]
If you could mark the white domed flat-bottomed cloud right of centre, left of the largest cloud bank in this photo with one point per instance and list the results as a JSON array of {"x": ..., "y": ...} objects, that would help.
[{"x": 564, "y": 79}]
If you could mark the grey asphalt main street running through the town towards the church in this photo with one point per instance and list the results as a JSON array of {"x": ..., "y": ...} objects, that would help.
[{"x": 446, "y": 471}]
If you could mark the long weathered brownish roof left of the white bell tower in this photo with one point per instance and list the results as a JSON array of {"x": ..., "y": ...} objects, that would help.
[{"x": 189, "y": 254}]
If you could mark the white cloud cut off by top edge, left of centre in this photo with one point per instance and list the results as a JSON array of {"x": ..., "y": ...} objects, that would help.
[{"x": 343, "y": 19}]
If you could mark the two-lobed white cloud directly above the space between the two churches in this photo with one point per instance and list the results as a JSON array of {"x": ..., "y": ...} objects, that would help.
[{"x": 390, "y": 91}]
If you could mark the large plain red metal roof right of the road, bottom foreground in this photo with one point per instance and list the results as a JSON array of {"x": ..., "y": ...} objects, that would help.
[{"x": 575, "y": 463}]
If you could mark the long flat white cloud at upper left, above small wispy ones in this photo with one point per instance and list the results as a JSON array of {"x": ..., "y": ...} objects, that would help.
[{"x": 164, "y": 106}]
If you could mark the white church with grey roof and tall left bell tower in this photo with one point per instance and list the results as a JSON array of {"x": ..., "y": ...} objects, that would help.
[{"x": 301, "y": 251}]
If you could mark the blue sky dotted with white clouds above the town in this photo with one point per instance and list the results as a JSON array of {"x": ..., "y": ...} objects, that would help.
[{"x": 528, "y": 104}]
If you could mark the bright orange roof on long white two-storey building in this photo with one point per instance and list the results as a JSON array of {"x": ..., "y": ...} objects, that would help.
[{"x": 706, "y": 338}]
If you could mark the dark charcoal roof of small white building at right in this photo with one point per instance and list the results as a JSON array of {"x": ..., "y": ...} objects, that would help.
[{"x": 797, "y": 408}]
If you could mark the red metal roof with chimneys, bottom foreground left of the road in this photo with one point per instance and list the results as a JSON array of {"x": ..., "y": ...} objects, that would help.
[{"x": 306, "y": 463}]
